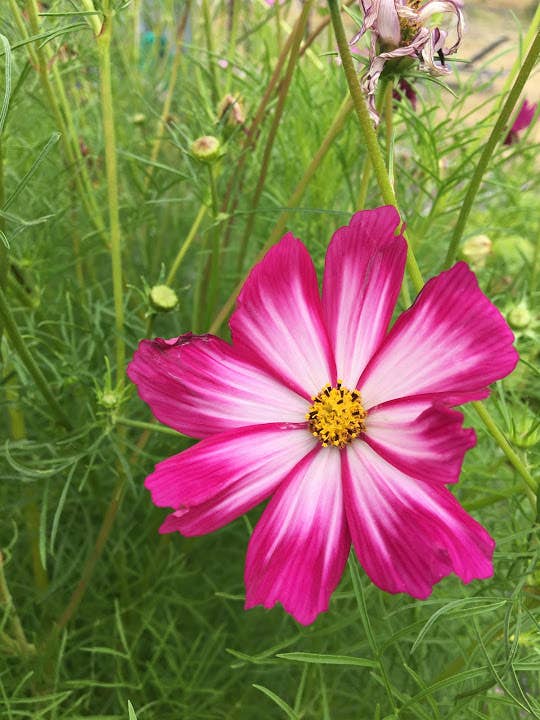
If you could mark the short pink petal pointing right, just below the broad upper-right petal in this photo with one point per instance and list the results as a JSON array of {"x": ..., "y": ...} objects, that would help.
[{"x": 423, "y": 440}]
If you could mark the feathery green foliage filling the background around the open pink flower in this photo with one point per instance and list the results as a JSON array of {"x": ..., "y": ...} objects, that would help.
[{"x": 160, "y": 630}]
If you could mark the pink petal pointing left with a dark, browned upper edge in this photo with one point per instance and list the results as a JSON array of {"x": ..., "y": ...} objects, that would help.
[{"x": 200, "y": 386}]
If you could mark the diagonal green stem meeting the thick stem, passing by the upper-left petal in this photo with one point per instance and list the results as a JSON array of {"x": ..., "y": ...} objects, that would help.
[{"x": 277, "y": 232}]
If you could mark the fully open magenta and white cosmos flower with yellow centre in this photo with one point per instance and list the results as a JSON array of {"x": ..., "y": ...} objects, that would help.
[{"x": 347, "y": 426}]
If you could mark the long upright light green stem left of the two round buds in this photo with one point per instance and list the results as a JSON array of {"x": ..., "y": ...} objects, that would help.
[{"x": 107, "y": 108}]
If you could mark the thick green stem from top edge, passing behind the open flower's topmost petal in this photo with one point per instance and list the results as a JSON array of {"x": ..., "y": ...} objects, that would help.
[{"x": 370, "y": 137}]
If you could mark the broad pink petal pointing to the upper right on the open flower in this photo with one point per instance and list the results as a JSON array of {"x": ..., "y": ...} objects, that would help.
[{"x": 451, "y": 343}]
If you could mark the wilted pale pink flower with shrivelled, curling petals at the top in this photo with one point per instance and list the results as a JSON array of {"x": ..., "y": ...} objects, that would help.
[{"x": 400, "y": 29}]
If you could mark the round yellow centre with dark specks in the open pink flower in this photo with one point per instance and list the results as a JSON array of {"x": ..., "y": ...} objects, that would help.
[{"x": 336, "y": 416}]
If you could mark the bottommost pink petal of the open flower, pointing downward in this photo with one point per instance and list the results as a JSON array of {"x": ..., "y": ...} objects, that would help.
[{"x": 298, "y": 550}]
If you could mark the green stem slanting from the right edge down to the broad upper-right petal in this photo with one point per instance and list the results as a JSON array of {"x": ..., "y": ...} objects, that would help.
[{"x": 498, "y": 130}]
